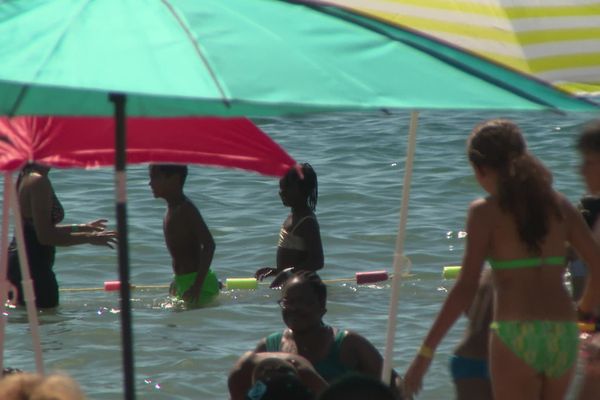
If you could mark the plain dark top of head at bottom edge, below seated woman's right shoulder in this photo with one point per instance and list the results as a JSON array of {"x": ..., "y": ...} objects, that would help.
[{"x": 357, "y": 387}]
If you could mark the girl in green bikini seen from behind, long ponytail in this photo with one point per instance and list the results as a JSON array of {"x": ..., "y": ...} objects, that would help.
[{"x": 521, "y": 228}]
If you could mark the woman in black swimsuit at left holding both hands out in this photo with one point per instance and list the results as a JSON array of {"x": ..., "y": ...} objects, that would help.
[{"x": 41, "y": 212}]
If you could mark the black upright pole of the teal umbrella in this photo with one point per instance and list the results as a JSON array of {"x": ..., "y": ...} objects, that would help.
[{"x": 123, "y": 250}]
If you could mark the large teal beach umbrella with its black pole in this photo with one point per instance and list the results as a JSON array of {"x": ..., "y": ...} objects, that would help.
[{"x": 171, "y": 58}]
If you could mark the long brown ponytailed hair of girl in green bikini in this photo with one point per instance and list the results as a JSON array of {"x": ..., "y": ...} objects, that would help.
[{"x": 524, "y": 183}]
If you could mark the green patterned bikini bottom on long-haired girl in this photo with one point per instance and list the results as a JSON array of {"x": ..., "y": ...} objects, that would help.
[{"x": 549, "y": 347}]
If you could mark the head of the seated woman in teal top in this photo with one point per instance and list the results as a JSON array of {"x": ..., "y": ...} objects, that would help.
[{"x": 303, "y": 301}]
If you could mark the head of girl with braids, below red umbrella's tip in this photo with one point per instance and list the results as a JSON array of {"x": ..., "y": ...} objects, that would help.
[{"x": 298, "y": 187}]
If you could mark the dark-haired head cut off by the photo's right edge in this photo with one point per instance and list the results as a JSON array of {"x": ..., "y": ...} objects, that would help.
[{"x": 588, "y": 145}]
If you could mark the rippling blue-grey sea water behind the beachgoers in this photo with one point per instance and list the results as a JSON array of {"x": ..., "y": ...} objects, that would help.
[{"x": 359, "y": 159}]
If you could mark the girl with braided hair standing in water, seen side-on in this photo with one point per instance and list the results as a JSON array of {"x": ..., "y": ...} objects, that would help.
[{"x": 299, "y": 246}]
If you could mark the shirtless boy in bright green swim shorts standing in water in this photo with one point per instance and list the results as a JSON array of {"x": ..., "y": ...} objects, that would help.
[{"x": 188, "y": 239}]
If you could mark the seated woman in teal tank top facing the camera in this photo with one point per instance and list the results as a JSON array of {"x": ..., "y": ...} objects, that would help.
[{"x": 332, "y": 352}]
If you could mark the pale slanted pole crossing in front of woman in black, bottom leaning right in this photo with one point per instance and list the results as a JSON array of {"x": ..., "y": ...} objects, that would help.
[{"x": 27, "y": 283}]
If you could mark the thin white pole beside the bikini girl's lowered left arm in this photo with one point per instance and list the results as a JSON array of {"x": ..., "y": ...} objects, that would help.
[{"x": 399, "y": 259}]
